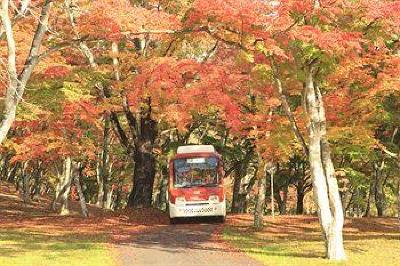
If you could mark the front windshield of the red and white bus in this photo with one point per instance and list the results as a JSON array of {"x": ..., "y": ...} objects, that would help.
[{"x": 200, "y": 171}]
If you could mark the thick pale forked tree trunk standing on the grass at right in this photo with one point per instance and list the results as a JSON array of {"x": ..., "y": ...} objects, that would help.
[{"x": 326, "y": 191}]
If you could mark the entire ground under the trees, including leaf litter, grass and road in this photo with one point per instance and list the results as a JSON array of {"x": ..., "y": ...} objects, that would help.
[{"x": 30, "y": 234}]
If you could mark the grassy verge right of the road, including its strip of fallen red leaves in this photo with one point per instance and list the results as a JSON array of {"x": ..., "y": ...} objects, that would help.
[{"x": 297, "y": 242}]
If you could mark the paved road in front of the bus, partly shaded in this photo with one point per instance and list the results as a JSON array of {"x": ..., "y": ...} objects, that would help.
[{"x": 181, "y": 244}]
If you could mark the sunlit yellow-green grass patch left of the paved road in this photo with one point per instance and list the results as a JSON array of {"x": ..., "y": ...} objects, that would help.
[{"x": 37, "y": 248}]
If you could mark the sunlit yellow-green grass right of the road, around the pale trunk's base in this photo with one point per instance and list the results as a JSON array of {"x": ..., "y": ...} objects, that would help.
[{"x": 368, "y": 250}]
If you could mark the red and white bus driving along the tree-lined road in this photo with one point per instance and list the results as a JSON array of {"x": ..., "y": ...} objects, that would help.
[{"x": 196, "y": 183}]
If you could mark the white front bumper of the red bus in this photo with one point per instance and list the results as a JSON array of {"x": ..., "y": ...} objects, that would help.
[{"x": 195, "y": 209}]
